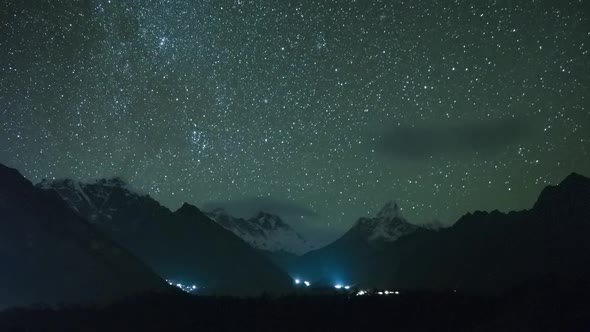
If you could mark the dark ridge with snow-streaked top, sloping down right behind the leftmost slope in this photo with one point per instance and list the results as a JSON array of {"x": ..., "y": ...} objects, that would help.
[{"x": 184, "y": 246}]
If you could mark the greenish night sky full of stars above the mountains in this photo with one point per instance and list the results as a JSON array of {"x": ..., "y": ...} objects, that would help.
[{"x": 323, "y": 109}]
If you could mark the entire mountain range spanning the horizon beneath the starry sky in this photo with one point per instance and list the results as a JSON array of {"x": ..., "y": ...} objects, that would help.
[{"x": 70, "y": 241}]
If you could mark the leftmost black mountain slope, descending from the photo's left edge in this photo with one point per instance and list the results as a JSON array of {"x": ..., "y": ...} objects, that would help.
[{"x": 51, "y": 255}]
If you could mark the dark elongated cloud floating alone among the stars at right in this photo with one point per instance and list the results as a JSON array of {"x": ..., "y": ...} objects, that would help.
[{"x": 423, "y": 142}]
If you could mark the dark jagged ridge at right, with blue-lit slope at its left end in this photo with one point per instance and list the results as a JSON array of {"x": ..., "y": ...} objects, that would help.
[{"x": 484, "y": 252}]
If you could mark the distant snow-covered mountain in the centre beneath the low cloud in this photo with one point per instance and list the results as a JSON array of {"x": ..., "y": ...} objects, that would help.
[{"x": 263, "y": 231}]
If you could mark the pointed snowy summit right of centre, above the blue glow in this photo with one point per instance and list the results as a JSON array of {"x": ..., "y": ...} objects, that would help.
[{"x": 388, "y": 225}]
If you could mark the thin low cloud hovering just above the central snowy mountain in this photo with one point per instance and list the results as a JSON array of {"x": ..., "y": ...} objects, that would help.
[{"x": 249, "y": 206}]
